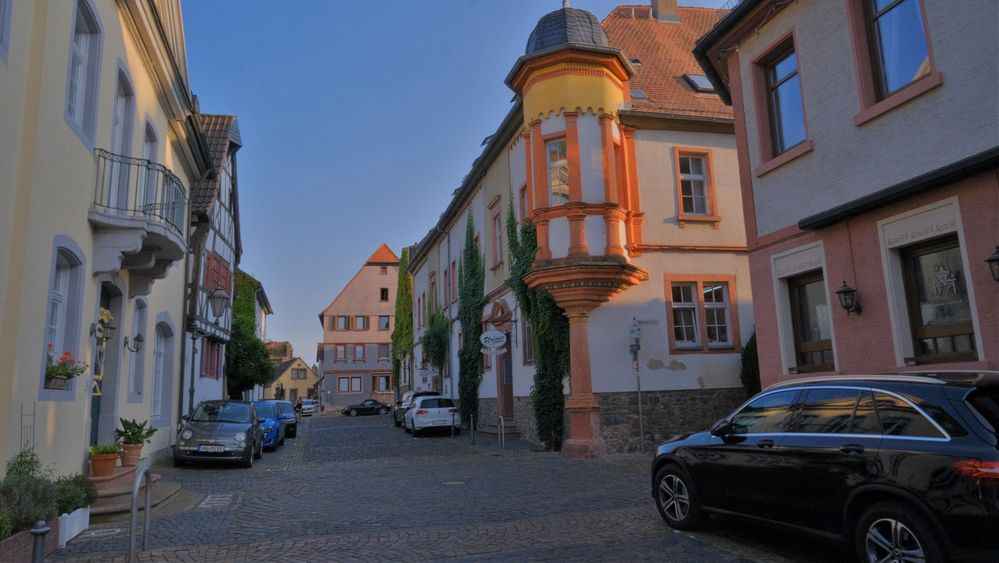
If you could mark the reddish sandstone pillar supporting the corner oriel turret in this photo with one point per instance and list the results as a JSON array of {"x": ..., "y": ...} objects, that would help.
[{"x": 585, "y": 439}]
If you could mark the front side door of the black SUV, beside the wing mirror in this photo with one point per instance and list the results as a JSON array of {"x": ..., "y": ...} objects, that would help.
[{"x": 738, "y": 471}]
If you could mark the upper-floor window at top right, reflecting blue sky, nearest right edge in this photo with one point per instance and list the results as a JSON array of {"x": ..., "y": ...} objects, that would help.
[{"x": 899, "y": 54}]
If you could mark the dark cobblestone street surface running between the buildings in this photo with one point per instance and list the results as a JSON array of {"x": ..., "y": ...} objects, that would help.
[{"x": 358, "y": 489}]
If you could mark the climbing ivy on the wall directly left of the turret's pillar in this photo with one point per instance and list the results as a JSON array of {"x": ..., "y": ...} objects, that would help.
[{"x": 551, "y": 333}]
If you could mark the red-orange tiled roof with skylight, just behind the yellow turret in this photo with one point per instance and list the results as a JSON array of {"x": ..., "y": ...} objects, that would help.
[{"x": 664, "y": 51}]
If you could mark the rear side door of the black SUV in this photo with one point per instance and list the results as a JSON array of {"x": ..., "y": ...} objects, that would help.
[{"x": 832, "y": 446}]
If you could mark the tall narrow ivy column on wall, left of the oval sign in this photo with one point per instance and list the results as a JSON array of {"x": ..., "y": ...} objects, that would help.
[{"x": 471, "y": 298}]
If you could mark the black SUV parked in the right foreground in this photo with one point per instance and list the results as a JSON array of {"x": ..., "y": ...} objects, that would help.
[{"x": 906, "y": 467}]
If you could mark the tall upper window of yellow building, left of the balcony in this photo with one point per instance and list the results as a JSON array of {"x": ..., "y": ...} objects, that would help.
[{"x": 81, "y": 84}]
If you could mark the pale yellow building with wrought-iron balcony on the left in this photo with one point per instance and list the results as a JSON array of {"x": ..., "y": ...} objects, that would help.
[{"x": 100, "y": 143}]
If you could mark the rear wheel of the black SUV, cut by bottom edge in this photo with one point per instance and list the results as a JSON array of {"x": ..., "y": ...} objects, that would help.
[{"x": 891, "y": 532}]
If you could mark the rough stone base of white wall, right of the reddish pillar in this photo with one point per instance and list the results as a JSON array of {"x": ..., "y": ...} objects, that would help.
[{"x": 666, "y": 413}]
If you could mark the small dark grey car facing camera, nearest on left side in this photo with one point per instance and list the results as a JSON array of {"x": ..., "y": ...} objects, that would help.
[{"x": 220, "y": 431}]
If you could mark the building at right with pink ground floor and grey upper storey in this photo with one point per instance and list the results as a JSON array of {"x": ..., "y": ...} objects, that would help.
[{"x": 868, "y": 141}]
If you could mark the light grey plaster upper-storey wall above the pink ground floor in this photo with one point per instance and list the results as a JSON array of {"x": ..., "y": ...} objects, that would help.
[{"x": 946, "y": 124}]
